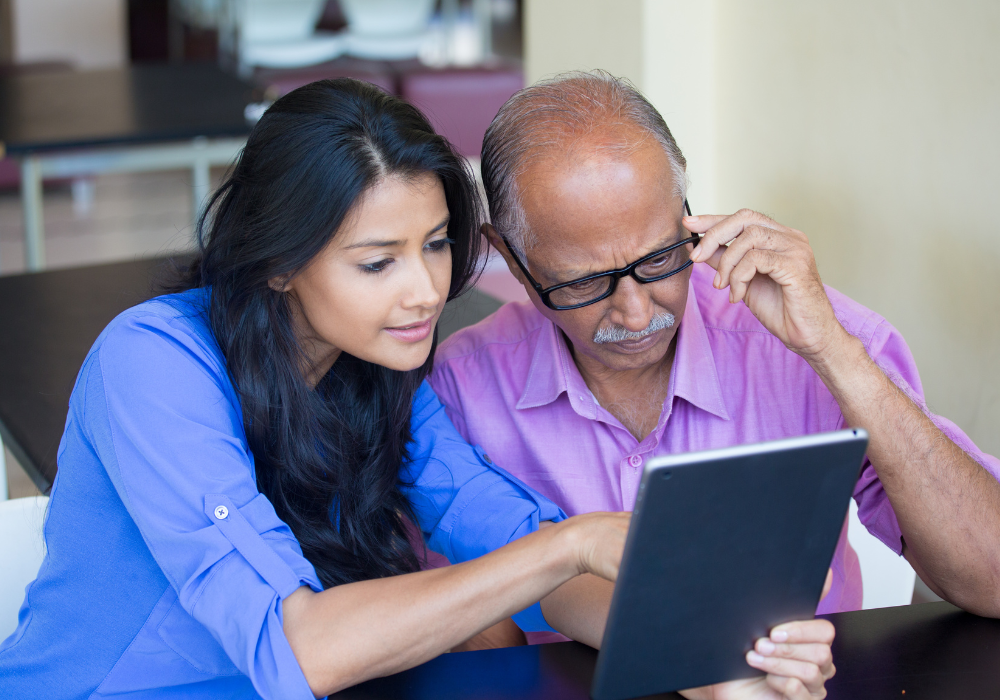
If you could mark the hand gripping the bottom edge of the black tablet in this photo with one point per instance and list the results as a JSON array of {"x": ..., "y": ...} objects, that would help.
[{"x": 797, "y": 659}]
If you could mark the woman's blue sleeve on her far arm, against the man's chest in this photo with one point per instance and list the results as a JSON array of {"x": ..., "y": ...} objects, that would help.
[{"x": 465, "y": 504}]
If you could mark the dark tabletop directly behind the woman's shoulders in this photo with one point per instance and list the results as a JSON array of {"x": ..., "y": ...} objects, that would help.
[{"x": 49, "y": 320}]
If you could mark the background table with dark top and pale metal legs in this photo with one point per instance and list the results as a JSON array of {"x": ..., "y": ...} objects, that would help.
[{"x": 66, "y": 124}]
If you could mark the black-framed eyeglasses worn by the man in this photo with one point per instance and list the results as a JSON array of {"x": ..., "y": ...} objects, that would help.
[{"x": 592, "y": 288}]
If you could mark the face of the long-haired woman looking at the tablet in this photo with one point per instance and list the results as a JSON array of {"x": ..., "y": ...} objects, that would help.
[{"x": 378, "y": 288}]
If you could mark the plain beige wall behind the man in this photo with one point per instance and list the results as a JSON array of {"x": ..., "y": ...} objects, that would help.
[{"x": 872, "y": 125}]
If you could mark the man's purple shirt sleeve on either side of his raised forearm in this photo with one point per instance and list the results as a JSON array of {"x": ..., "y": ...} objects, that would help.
[{"x": 889, "y": 350}]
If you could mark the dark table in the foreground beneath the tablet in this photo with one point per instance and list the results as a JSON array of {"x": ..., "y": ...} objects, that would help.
[{"x": 918, "y": 652}]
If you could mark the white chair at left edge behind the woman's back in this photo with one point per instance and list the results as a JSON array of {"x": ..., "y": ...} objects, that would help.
[{"x": 22, "y": 548}]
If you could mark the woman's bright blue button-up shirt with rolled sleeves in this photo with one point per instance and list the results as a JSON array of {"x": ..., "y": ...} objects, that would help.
[{"x": 165, "y": 566}]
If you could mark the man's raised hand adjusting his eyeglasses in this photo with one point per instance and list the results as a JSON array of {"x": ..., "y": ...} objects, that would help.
[{"x": 772, "y": 269}]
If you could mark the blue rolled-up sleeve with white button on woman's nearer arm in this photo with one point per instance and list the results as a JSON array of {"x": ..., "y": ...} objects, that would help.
[{"x": 166, "y": 424}]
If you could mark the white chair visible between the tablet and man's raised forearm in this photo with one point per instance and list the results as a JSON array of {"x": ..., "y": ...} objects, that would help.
[{"x": 888, "y": 579}]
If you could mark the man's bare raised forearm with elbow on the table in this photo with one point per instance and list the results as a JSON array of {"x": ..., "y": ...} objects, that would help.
[{"x": 947, "y": 505}]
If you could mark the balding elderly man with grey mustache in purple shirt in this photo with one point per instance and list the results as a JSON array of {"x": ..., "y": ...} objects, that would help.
[{"x": 646, "y": 335}]
